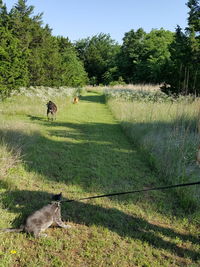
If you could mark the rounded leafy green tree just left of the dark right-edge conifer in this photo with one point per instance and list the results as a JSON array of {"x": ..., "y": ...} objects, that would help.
[{"x": 143, "y": 55}]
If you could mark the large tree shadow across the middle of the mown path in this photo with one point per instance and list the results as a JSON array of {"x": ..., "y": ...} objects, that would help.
[{"x": 95, "y": 156}]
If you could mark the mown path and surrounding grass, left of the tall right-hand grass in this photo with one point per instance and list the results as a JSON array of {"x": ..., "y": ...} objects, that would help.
[{"x": 83, "y": 153}]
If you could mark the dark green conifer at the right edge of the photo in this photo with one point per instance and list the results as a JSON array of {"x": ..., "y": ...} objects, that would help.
[{"x": 184, "y": 65}]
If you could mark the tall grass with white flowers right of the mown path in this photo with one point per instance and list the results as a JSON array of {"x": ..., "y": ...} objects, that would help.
[{"x": 167, "y": 133}]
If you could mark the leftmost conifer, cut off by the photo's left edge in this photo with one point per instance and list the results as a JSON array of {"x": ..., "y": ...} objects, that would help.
[{"x": 13, "y": 65}]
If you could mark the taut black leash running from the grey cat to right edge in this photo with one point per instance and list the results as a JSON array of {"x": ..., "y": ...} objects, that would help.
[{"x": 132, "y": 192}]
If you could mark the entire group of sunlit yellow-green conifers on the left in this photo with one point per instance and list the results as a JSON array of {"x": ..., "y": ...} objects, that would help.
[{"x": 31, "y": 56}]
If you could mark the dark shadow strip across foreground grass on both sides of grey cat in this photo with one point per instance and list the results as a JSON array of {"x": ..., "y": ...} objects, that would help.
[{"x": 117, "y": 221}]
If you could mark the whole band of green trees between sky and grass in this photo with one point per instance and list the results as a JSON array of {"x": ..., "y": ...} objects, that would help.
[{"x": 31, "y": 56}]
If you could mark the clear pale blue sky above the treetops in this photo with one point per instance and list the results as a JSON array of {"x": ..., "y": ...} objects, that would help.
[{"x": 78, "y": 19}]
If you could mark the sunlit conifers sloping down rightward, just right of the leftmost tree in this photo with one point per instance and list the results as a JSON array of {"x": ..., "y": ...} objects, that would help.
[{"x": 50, "y": 62}]
